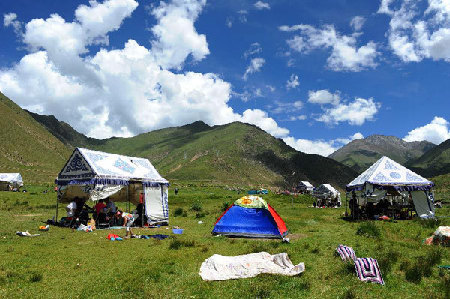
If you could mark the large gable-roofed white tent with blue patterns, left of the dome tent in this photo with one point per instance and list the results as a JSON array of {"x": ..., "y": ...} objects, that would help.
[{"x": 94, "y": 175}]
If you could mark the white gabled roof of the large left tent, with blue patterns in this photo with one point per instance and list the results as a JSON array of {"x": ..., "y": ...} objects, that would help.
[{"x": 95, "y": 167}]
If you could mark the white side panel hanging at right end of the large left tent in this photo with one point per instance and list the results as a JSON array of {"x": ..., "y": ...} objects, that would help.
[{"x": 156, "y": 204}]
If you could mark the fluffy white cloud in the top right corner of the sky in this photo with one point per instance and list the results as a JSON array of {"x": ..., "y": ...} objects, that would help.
[{"x": 418, "y": 29}]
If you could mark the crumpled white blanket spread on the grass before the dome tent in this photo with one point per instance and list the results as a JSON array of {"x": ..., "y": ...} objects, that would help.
[{"x": 219, "y": 267}]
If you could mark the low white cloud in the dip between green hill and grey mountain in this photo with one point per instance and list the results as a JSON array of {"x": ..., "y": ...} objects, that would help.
[{"x": 320, "y": 147}]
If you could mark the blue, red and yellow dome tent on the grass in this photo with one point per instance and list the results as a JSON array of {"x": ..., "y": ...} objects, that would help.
[{"x": 250, "y": 216}]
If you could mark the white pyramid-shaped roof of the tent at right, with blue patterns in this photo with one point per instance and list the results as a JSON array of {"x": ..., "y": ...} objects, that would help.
[{"x": 387, "y": 172}]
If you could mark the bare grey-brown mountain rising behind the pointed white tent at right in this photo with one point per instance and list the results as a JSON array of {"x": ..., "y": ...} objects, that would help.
[{"x": 361, "y": 153}]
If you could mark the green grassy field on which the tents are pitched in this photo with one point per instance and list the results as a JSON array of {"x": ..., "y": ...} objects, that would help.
[{"x": 61, "y": 263}]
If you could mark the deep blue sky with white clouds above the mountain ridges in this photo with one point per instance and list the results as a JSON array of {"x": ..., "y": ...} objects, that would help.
[{"x": 314, "y": 73}]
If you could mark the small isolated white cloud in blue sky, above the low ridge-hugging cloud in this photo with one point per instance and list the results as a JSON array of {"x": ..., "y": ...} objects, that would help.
[{"x": 355, "y": 113}]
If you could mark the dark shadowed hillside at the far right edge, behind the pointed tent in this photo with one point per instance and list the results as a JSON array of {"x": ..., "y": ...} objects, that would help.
[{"x": 434, "y": 162}]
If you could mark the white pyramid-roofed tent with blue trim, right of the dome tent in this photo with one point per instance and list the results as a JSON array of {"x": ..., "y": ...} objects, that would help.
[{"x": 387, "y": 178}]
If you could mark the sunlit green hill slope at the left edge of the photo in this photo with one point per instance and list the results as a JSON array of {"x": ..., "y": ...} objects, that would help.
[{"x": 27, "y": 147}]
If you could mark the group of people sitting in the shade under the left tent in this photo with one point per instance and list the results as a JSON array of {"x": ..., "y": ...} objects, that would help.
[{"x": 104, "y": 213}]
